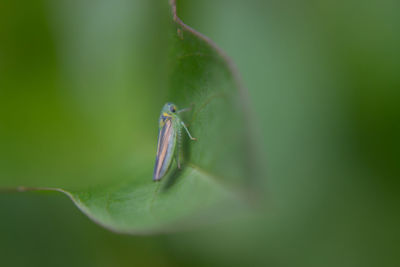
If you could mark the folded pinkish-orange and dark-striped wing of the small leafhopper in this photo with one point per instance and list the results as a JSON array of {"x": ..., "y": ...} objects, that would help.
[{"x": 165, "y": 148}]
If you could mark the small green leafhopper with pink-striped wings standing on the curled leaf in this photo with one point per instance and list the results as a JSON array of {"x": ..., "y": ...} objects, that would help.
[{"x": 169, "y": 134}]
